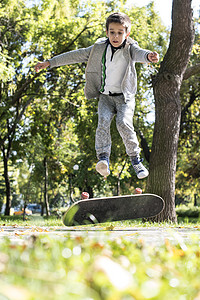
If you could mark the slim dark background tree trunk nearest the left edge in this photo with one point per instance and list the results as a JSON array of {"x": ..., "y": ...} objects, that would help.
[{"x": 7, "y": 183}]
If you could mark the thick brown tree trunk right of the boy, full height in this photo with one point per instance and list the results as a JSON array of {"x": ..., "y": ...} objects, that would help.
[{"x": 166, "y": 87}]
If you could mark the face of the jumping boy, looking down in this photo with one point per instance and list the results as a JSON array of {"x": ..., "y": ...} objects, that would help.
[{"x": 116, "y": 34}]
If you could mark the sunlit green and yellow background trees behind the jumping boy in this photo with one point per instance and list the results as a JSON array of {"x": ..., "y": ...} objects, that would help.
[{"x": 47, "y": 125}]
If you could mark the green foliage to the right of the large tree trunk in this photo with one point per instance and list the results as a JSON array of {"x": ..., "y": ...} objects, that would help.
[{"x": 188, "y": 171}]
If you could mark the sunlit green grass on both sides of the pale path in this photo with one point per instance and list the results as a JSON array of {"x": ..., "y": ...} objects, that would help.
[{"x": 42, "y": 267}]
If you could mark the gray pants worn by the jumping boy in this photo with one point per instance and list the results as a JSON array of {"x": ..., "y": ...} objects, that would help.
[{"x": 108, "y": 107}]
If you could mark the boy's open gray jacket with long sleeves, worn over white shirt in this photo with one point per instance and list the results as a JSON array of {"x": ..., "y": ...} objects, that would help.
[{"x": 93, "y": 56}]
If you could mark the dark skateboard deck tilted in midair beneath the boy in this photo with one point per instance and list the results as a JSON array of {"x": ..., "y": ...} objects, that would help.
[{"x": 109, "y": 209}]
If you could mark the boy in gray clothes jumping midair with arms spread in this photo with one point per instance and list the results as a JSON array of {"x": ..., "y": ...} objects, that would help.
[{"x": 111, "y": 76}]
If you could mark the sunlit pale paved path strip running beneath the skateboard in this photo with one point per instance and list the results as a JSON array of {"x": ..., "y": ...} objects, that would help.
[{"x": 155, "y": 236}]
